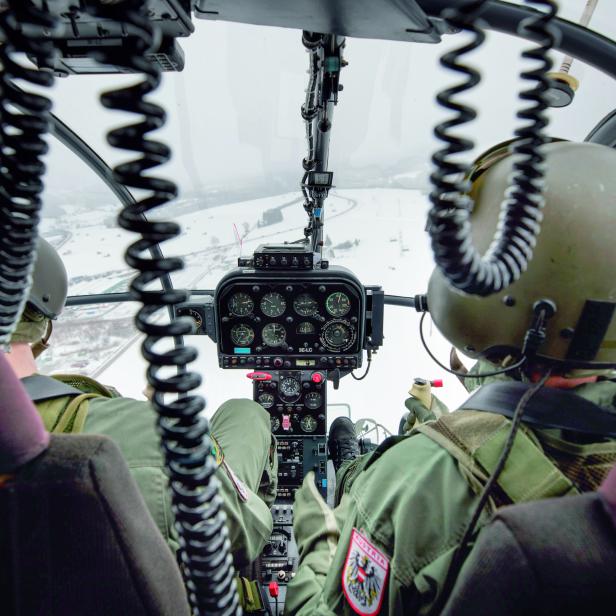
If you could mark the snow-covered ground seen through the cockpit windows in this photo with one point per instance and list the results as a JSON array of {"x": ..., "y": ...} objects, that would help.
[{"x": 377, "y": 233}]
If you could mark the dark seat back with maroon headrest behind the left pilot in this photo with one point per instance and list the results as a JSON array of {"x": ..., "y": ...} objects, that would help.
[{"x": 75, "y": 535}]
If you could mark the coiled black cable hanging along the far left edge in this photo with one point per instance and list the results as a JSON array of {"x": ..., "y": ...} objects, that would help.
[{"x": 23, "y": 125}]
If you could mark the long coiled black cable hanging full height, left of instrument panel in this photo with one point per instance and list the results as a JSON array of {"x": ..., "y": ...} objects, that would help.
[{"x": 205, "y": 549}]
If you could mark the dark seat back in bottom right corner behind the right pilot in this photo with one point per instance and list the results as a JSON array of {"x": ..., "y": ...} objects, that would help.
[{"x": 556, "y": 556}]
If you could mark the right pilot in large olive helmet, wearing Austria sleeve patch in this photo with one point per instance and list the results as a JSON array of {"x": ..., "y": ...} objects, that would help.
[{"x": 392, "y": 544}]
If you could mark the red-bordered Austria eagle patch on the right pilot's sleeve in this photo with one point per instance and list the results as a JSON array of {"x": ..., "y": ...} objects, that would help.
[{"x": 364, "y": 575}]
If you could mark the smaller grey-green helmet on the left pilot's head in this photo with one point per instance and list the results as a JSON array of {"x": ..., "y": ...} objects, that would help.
[{"x": 49, "y": 281}]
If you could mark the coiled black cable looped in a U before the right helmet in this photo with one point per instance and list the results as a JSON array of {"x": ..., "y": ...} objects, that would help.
[{"x": 520, "y": 219}]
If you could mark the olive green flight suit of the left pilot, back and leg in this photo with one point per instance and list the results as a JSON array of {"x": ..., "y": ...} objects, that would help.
[{"x": 247, "y": 475}]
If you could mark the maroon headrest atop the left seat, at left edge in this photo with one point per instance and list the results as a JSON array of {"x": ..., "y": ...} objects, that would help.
[{"x": 22, "y": 434}]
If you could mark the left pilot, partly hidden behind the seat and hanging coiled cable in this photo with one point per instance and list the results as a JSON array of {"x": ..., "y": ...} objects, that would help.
[{"x": 78, "y": 404}]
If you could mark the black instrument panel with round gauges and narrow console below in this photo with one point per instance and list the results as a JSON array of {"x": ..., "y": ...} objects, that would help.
[{"x": 292, "y": 323}]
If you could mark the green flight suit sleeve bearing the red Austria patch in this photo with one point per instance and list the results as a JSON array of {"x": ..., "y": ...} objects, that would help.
[{"x": 406, "y": 513}]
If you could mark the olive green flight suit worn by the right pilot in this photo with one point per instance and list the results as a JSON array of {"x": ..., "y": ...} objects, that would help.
[{"x": 410, "y": 503}]
